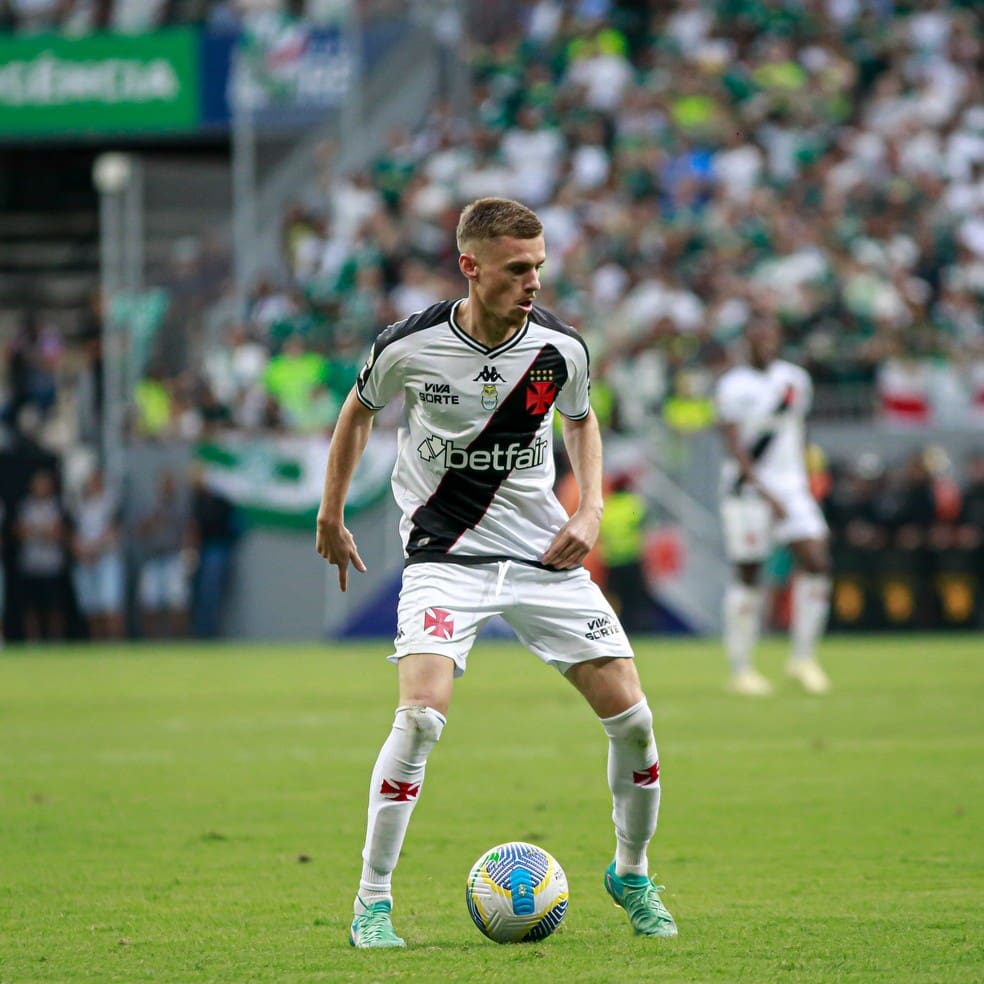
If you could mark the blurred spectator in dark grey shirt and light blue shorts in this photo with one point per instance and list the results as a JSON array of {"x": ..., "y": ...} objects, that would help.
[{"x": 162, "y": 533}]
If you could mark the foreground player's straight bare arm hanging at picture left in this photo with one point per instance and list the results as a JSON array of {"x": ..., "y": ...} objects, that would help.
[{"x": 334, "y": 542}]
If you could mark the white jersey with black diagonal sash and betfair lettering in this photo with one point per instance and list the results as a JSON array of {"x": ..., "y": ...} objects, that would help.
[{"x": 474, "y": 473}]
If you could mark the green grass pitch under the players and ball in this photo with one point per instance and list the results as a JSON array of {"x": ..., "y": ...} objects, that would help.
[{"x": 190, "y": 814}]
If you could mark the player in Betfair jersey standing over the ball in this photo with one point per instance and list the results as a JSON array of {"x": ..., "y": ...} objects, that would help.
[{"x": 483, "y": 534}]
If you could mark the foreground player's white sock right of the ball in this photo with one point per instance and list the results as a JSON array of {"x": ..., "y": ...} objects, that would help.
[{"x": 633, "y": 777}]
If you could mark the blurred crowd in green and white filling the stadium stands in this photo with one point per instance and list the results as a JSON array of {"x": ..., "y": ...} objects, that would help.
[{"x": 692, "y": 162}]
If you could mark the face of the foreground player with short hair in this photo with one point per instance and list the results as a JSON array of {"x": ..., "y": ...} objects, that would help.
[{"x": 506, "y": 276}]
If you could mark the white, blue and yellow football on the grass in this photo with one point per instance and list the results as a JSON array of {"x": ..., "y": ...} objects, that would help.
[{"x": 517, "y": 893}]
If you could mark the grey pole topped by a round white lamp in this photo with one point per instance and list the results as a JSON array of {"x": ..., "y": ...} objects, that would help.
[{"x": 111, "y": 174}]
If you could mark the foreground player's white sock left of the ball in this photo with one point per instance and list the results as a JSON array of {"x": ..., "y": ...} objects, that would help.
[{"x": 395, "y": 786}]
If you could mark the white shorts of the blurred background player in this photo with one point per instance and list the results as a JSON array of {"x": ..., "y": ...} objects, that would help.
[{"x": 750, "y": 529}]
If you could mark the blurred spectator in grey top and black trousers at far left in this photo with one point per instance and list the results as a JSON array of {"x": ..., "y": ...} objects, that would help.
[{"x": 42, "y": 532}]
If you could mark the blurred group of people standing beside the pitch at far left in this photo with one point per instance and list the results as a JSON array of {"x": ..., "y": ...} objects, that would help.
[{"x": 75, "y": 564}]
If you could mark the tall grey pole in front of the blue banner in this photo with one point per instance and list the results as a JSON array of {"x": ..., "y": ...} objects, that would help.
[{"x": 244, "y": 187}]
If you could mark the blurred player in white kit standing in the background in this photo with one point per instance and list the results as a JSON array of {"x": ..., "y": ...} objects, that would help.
[{"x": 766, "y": 499}]
